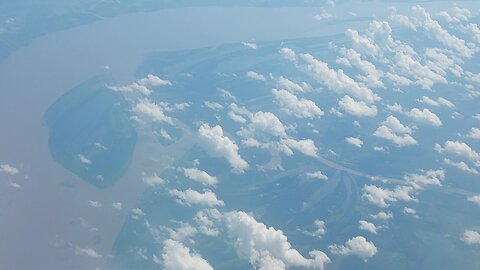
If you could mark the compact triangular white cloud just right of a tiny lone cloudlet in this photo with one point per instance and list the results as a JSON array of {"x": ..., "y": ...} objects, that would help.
[{"x": 392, "y": 129}]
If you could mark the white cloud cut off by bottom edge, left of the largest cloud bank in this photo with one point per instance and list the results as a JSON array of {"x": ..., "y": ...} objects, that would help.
[{"x": 176, "y": 256}]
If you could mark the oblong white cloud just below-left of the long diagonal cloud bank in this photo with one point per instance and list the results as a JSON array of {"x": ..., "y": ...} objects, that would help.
[{"x": 291, "y": 104}]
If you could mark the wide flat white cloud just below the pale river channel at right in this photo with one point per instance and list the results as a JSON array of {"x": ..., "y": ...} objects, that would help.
[{"x": 383, "y": 197}]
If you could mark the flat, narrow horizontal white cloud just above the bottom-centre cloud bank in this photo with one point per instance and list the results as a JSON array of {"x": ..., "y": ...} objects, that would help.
[{"x": 190, "y": 197}]
